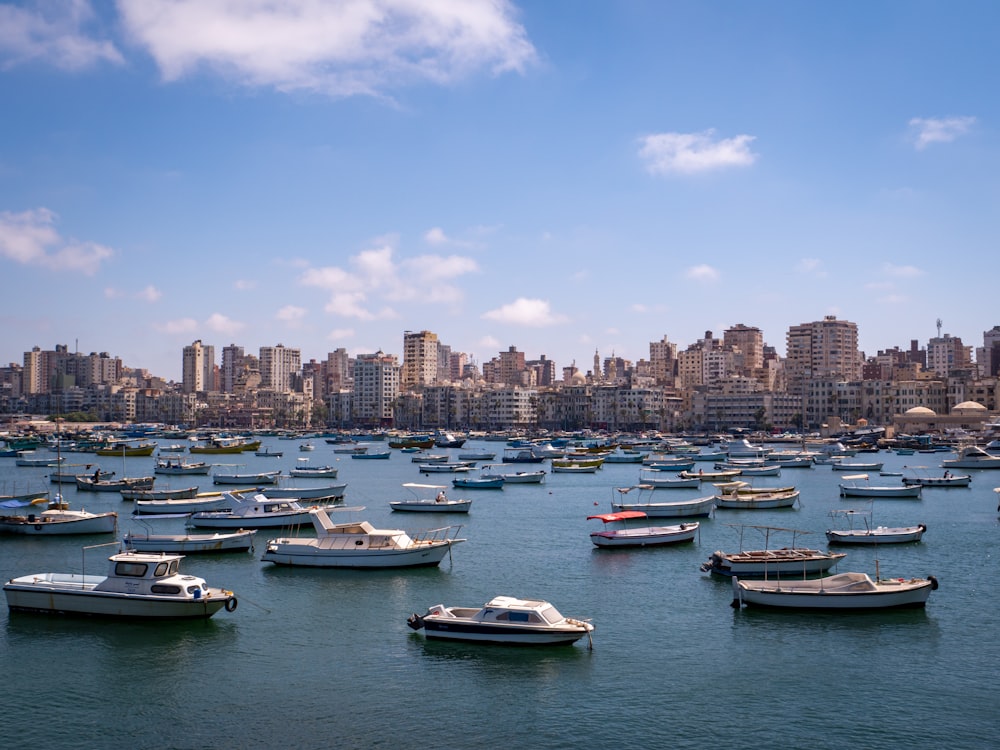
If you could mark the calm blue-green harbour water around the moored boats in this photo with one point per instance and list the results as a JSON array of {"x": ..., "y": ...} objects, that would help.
[{"x": 323, "y": 658}]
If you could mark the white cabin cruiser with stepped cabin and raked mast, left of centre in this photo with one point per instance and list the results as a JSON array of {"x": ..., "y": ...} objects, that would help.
[{"x": 361, "y": 545}]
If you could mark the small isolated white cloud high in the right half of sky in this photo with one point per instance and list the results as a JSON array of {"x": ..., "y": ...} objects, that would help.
[{"x": 688, "y": 153}]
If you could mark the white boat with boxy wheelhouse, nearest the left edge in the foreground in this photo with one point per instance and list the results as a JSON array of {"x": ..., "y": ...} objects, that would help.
[{"x": 138, "y": 585}]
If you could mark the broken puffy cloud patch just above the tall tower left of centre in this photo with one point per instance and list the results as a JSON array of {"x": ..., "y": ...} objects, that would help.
[{"x": 375, "y": 278}]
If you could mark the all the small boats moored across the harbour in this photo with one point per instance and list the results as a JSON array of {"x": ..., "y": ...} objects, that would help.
[{"x": 144, "y": 579}]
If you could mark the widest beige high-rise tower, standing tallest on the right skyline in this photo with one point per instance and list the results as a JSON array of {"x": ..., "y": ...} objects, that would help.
[{"x": 825, "y": 349}]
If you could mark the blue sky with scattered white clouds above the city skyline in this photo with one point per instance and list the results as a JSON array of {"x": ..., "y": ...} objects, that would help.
[{"x": 561, "y": 176}]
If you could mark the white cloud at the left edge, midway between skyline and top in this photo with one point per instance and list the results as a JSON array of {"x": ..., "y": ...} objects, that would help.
[{"x": 30, "y": 238}]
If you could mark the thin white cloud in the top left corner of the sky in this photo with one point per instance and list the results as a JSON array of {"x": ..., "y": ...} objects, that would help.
[{"x": 52, "y": 33}]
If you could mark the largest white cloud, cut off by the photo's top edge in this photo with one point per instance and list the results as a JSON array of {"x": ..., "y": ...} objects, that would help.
[{"x": 344, "y": 48}]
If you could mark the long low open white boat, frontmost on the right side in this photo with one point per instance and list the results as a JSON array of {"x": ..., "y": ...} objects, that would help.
[{"x": 840, "y": 592}]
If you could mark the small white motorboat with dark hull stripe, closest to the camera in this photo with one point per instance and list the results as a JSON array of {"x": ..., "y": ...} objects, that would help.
[{"x": 503, "y": 619}]
